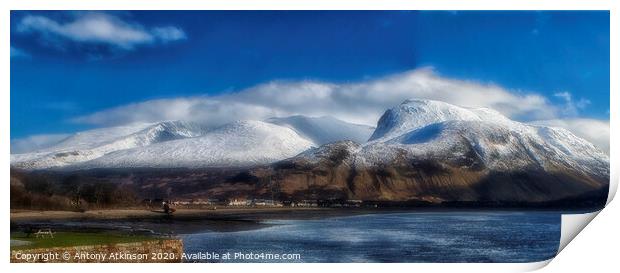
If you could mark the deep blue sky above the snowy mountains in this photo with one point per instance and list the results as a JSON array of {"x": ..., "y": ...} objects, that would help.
[{"x": 72, "y": 71}]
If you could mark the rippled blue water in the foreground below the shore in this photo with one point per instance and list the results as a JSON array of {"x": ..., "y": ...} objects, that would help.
[{"x": 398, "y": 237}]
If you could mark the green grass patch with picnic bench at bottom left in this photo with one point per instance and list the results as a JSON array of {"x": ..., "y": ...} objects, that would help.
[{"x": 62, "y": 239}]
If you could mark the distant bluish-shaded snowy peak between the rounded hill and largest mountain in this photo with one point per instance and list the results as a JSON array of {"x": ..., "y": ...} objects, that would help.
[{"x": 323, "y": 130}]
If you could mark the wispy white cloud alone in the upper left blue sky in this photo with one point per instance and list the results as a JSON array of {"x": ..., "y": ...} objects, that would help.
[{"x": 100, "y": 28}]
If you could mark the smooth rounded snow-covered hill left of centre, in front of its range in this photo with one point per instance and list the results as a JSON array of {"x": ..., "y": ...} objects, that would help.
[{"x": 242, "y": 143}]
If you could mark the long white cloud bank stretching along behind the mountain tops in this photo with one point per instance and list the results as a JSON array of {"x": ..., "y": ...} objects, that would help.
[{"x": 359, "y": 102}]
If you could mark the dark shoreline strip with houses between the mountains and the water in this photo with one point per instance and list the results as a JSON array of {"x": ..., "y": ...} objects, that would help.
[{"x": 190, "y": 221}]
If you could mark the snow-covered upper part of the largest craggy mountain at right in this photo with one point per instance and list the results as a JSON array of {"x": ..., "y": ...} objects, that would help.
[{"x": 423, "y": 128}]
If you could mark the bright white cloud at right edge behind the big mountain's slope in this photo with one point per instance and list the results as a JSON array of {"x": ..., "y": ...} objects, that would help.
[{"x": 592, "y": 130}]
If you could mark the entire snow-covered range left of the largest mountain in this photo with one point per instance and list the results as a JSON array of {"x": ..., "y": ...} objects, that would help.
[{"x": 185, "y": 144}]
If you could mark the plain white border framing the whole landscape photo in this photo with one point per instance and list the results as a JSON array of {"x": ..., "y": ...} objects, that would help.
[{"x": 297, "y": 5}]
